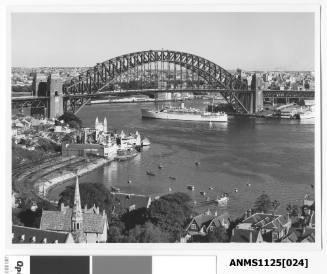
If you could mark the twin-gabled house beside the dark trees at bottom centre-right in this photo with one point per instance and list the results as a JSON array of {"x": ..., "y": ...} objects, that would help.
[{"x": 203, "y": 223}]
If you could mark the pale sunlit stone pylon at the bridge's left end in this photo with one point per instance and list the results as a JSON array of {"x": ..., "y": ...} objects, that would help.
[{"x": 56, "y": 99}]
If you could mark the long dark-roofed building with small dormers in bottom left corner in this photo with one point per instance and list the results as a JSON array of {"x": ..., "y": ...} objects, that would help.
[{"x": 29, "y": 235}]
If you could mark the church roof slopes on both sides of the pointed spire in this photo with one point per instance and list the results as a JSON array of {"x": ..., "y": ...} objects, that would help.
[{"x": 61, "y": 221}]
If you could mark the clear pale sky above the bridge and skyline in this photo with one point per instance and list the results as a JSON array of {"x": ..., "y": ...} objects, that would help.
[{"x": 250, "y": 41}]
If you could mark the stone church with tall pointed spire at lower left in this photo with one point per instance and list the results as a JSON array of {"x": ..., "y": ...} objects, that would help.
[{"x": 88, "y": 225}]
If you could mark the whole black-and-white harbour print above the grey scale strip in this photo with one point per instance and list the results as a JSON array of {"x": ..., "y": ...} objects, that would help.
[{"x": 164, "y": 127}]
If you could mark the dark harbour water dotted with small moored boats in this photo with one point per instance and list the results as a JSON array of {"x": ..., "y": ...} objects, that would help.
[{"x": 273, "y": 156}]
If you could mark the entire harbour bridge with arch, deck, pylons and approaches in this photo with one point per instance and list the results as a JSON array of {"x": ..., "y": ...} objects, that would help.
[{"x": 149, "y": 72}]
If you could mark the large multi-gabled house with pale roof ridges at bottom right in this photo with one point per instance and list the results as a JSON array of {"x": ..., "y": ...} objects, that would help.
[{"x": 272, "y": 227}]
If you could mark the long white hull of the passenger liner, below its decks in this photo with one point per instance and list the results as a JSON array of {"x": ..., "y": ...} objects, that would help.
[{"x": 183, "y": 117}]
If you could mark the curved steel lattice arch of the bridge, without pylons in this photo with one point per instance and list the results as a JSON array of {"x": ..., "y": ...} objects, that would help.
[{"x": 96, "y": 79}]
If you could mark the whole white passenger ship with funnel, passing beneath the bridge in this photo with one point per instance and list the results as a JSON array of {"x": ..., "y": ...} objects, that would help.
[{"x": 185, "y": 114}]
